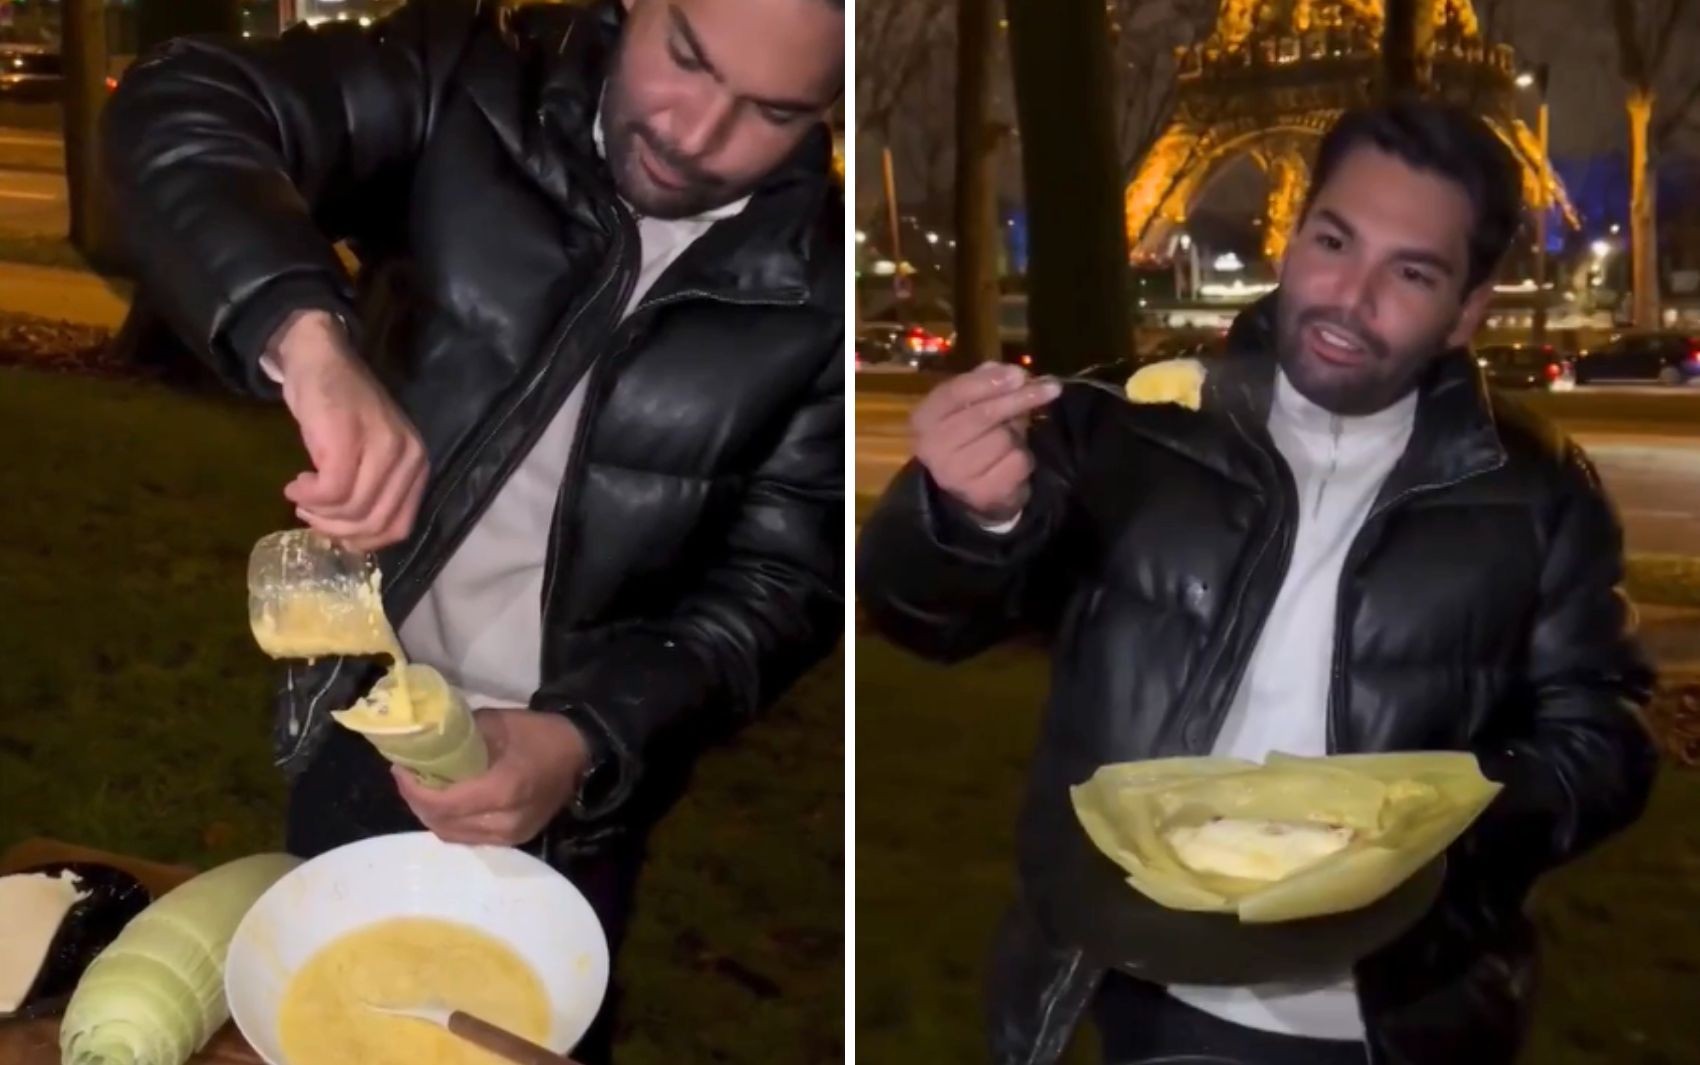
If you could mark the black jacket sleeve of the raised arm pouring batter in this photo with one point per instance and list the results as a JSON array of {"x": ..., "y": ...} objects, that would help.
[{"x": 235, "y": 166}]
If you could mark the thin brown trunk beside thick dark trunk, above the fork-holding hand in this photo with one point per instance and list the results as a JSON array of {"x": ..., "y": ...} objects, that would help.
[{"x": 977, "y": 198}]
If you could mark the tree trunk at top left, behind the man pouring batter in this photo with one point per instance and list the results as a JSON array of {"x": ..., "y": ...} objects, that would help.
[{"x": 86, "y": 71}]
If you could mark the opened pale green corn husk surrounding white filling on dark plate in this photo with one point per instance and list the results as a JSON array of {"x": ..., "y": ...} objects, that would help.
[{"x": 1405, "y": 811}]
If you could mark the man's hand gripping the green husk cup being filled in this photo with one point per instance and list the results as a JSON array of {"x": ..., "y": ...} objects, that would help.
[{"x": 536, "y": 765}]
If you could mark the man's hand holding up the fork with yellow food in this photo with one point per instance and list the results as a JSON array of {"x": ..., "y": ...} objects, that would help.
[{"x": 972, "y": 436}]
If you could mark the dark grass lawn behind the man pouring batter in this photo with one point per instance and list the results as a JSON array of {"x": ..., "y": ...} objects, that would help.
[{"x": 133, "y": 715}]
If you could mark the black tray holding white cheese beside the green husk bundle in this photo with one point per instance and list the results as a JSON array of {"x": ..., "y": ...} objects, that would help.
[{"x": 89, "y": 928}]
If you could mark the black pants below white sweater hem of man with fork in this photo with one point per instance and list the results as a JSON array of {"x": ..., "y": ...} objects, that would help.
[{"x": 1143, "y": 1025}]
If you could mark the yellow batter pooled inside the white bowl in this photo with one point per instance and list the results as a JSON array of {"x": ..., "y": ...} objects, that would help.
[{"x": 407, "y": 962}]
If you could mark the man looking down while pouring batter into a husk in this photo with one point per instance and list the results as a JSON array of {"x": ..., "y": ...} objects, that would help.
[{"x": 586, "y": 401}]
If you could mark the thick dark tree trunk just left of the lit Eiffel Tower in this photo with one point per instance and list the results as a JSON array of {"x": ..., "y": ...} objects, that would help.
[{"x": 1079, "y": 271}]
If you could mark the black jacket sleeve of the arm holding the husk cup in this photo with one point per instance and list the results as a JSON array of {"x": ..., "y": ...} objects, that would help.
[{"x": 764, "y": 612}]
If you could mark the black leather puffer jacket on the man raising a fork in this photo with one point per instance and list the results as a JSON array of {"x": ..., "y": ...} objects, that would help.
[{"x": 1480, "y": 612}]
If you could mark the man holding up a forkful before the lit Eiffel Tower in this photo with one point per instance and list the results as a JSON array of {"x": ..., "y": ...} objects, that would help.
[{"x": 1352, "y": 547}]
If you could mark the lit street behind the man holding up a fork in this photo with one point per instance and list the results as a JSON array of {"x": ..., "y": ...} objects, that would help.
[{"x": 1653, "y": 472}]
